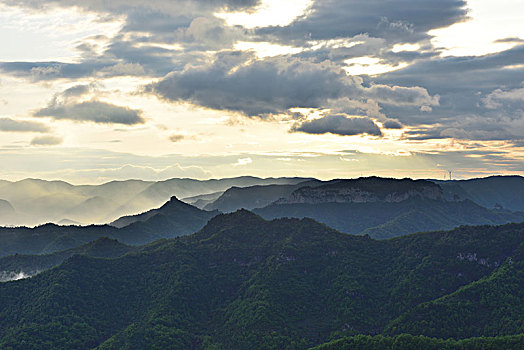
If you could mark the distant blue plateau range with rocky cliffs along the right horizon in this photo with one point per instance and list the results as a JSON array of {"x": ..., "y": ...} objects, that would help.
[{"x": 496, "y": 192}]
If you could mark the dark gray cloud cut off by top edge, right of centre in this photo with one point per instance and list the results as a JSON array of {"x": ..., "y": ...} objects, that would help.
[{"x": 396, "y": 20}]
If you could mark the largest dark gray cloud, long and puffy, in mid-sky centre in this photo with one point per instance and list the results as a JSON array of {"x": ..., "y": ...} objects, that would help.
[{"x": 235, "y": 82}]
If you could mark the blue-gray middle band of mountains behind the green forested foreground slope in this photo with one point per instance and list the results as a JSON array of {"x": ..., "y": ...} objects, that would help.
[{"x": 379, "y": 207}]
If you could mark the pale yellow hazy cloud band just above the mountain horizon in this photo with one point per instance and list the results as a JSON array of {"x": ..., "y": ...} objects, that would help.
[{"x": 91, "y": 165}]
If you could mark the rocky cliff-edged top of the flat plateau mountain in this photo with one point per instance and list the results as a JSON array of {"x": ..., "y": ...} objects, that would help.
[{"x": 365, "y": 191}]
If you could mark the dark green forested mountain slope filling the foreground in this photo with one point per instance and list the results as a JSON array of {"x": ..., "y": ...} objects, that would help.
[{"x": 242, "y": 282}]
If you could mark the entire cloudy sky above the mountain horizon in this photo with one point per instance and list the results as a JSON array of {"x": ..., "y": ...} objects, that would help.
[{"x": 93, "y": 91}]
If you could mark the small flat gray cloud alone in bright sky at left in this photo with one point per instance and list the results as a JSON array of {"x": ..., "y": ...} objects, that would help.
[{"x": 94, "y": 111}]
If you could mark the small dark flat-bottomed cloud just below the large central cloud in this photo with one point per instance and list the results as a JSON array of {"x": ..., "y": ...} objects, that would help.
[{"x": 338, "y": 125}]
